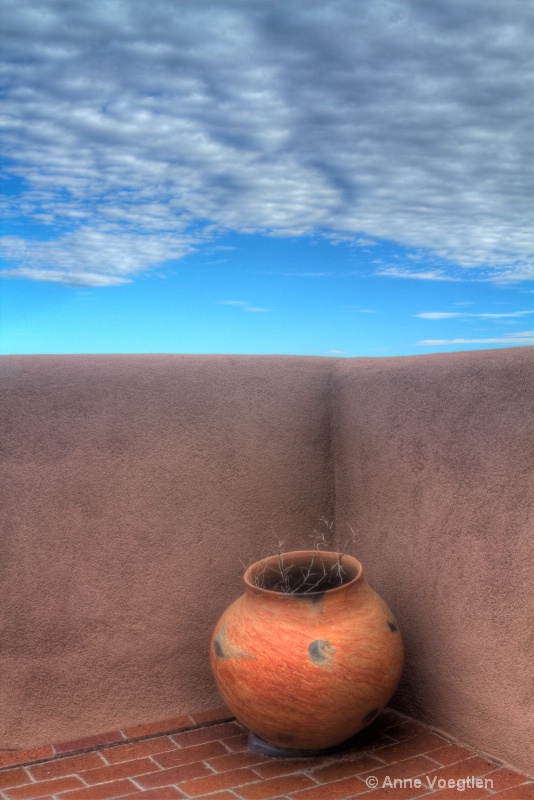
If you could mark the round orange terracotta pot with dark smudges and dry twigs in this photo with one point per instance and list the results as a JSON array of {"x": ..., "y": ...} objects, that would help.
[{"x": 307, "y": 670}]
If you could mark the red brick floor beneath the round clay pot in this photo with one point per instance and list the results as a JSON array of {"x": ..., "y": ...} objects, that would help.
[{"x": 206, "y": 756}]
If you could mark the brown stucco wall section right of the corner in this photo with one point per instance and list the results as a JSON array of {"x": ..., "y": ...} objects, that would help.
[{"x": 434, "y": 463}]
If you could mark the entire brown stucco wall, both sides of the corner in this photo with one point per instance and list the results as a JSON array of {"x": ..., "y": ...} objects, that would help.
[{"x": 132, "y": 487}]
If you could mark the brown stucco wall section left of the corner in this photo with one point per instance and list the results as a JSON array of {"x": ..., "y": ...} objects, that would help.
[{"x": 131, "y": 488}]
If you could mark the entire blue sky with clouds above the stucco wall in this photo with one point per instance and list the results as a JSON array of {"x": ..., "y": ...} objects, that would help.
[{"x": 258, "y": 176}]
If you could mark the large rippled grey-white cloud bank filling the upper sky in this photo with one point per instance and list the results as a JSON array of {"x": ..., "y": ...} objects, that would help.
[{"x": 139, "y": 131}]
